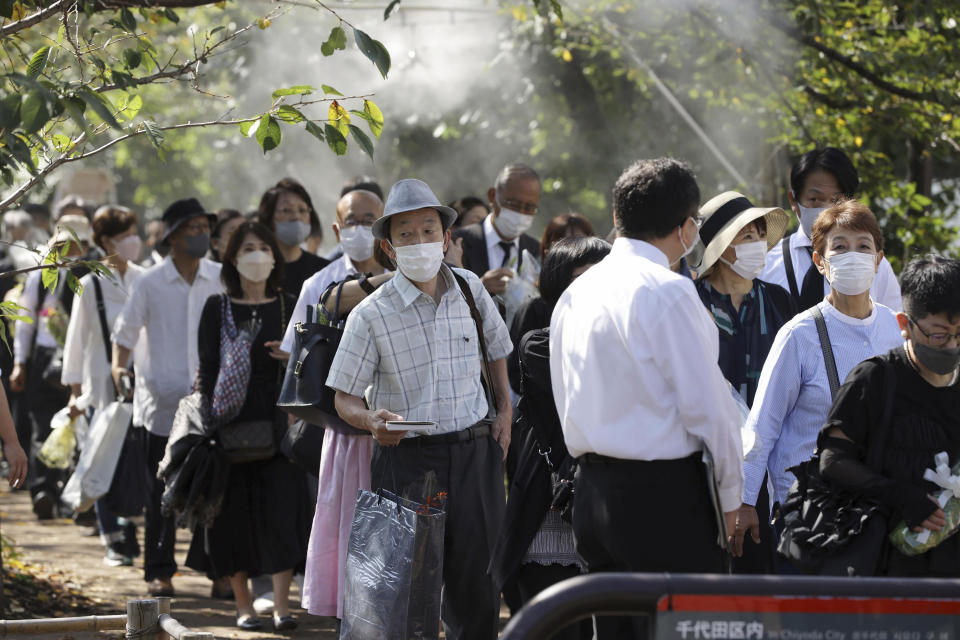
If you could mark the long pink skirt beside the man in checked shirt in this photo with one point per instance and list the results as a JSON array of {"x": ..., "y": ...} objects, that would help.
[{"x": 344, "y": 469}]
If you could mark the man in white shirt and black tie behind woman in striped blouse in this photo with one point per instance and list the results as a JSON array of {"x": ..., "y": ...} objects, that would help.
[{"x": 818, "y": 179}]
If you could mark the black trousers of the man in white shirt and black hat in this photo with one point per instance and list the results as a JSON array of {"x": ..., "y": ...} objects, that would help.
[{"x": 159, "y": 532}]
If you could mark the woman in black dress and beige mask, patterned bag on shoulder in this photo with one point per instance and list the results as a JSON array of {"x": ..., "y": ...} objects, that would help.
[{"x": 263, "y": 525}]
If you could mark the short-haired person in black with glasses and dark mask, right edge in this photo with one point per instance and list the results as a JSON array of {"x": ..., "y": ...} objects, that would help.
[{"x": 925, "y": 417}]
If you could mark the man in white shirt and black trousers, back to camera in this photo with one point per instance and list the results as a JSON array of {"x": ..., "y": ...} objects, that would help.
[{"x": 633, "y": 361}]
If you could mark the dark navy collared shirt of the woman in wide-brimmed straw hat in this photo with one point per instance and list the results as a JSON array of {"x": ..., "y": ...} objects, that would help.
[{"x": 745, "y": 335}]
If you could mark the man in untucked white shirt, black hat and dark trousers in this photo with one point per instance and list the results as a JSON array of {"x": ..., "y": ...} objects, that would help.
[{"x": 166, "y": 302}]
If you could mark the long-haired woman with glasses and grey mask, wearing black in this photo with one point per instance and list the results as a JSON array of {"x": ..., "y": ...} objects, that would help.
[{"x": 286, "y": 209}]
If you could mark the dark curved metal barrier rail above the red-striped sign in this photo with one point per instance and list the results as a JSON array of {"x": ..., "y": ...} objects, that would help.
[{"x": 639, "y": 594}]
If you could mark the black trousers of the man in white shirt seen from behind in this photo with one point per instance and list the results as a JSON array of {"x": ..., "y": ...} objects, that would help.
[{"x": 649, "y": 516}]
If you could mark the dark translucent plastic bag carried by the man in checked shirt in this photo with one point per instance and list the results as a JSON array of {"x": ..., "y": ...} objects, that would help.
[{"x": 394, "y": 570}]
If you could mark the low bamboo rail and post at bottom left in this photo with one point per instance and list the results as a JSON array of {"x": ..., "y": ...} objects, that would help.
[{"x": 145, "y": 619}]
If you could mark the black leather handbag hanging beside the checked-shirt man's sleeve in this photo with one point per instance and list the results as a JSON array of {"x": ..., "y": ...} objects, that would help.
[{"x": 304, "y": 393}]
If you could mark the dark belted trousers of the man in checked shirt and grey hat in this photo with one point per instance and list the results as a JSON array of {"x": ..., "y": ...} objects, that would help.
[{"x": 471, "y": 473}]
